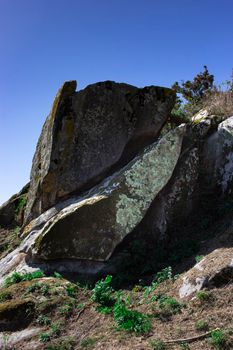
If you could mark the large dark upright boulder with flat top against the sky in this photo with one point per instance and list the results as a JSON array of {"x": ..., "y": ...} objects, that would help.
[{"x": 91, "y": 133}]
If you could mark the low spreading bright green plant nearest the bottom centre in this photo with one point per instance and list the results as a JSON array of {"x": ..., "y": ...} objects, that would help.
[{"x": 131, "y": 320}]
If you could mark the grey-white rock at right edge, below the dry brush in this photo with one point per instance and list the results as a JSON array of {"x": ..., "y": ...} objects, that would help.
[{"x": 218, "y": 158}]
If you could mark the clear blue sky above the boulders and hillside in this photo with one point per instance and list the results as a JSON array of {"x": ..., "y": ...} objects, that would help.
[{"x": 141, "y": 42}]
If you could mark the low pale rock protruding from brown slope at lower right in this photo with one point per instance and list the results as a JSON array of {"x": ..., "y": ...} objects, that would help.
[{"x": 214, "y": 270}]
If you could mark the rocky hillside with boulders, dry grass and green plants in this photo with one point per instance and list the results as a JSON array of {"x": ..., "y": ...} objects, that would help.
[{"x": 123, "y": 239}]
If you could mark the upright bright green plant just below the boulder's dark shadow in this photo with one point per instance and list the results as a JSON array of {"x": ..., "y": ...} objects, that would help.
[{"x": 102, "y": 293}]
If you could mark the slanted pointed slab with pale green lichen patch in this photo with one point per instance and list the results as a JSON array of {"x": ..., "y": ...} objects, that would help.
[{"x": 91, "y": 228}]
